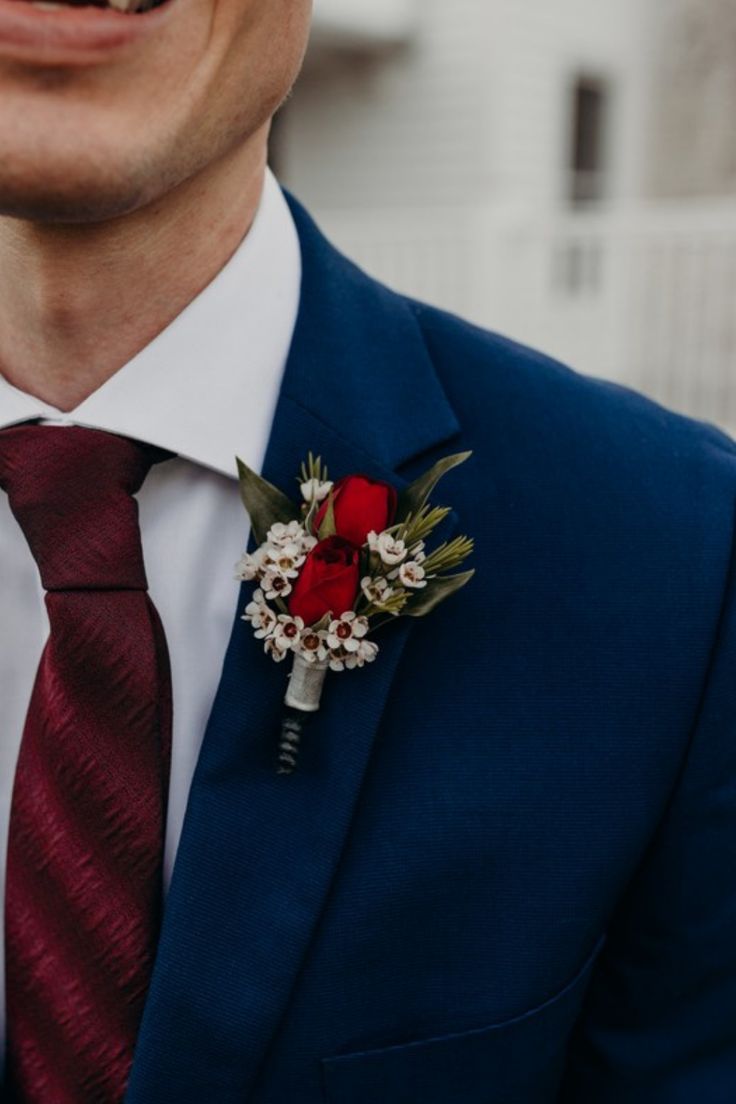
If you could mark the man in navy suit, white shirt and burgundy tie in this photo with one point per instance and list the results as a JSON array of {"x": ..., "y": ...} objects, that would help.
[{"x": 504, "y": 873}]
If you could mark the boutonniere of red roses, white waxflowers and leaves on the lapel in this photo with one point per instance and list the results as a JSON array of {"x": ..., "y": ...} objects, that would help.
[{"x": 332, "y": 570}]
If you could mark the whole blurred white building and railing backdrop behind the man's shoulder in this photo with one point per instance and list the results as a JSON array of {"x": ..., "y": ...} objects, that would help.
[{"x": 563, "y": 173}]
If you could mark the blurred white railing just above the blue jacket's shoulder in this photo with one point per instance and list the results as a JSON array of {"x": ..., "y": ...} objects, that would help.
[{"x": 646, "y": 296}]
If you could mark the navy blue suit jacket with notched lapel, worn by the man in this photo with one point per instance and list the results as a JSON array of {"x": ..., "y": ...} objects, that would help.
[{"x": 506, "y": 871}]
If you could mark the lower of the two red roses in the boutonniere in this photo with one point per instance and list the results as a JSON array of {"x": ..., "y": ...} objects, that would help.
[{"x": 328, "y": 582}]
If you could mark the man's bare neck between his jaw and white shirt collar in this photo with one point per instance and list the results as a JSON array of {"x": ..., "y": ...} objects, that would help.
[{"x": 78, "y": 302}]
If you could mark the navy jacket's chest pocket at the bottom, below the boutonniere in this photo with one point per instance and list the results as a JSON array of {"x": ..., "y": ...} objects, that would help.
[{"x": 519, "y": 1061}]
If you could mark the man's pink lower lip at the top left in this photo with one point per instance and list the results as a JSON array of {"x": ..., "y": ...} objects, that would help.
[{"x": 73, "y": 35}]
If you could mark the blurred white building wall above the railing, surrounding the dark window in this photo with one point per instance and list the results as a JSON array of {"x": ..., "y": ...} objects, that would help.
[{"x": 475, "y": 108}]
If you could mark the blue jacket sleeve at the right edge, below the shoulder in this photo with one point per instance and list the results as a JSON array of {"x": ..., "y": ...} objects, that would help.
[{"x": 659, "y": 1024}]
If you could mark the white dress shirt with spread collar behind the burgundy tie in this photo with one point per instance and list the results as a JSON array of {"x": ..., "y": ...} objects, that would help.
[{"x": 206, "y": 389}]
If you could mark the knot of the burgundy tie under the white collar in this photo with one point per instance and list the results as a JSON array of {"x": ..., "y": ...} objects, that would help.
[{"x": 71, "y": 491}]
